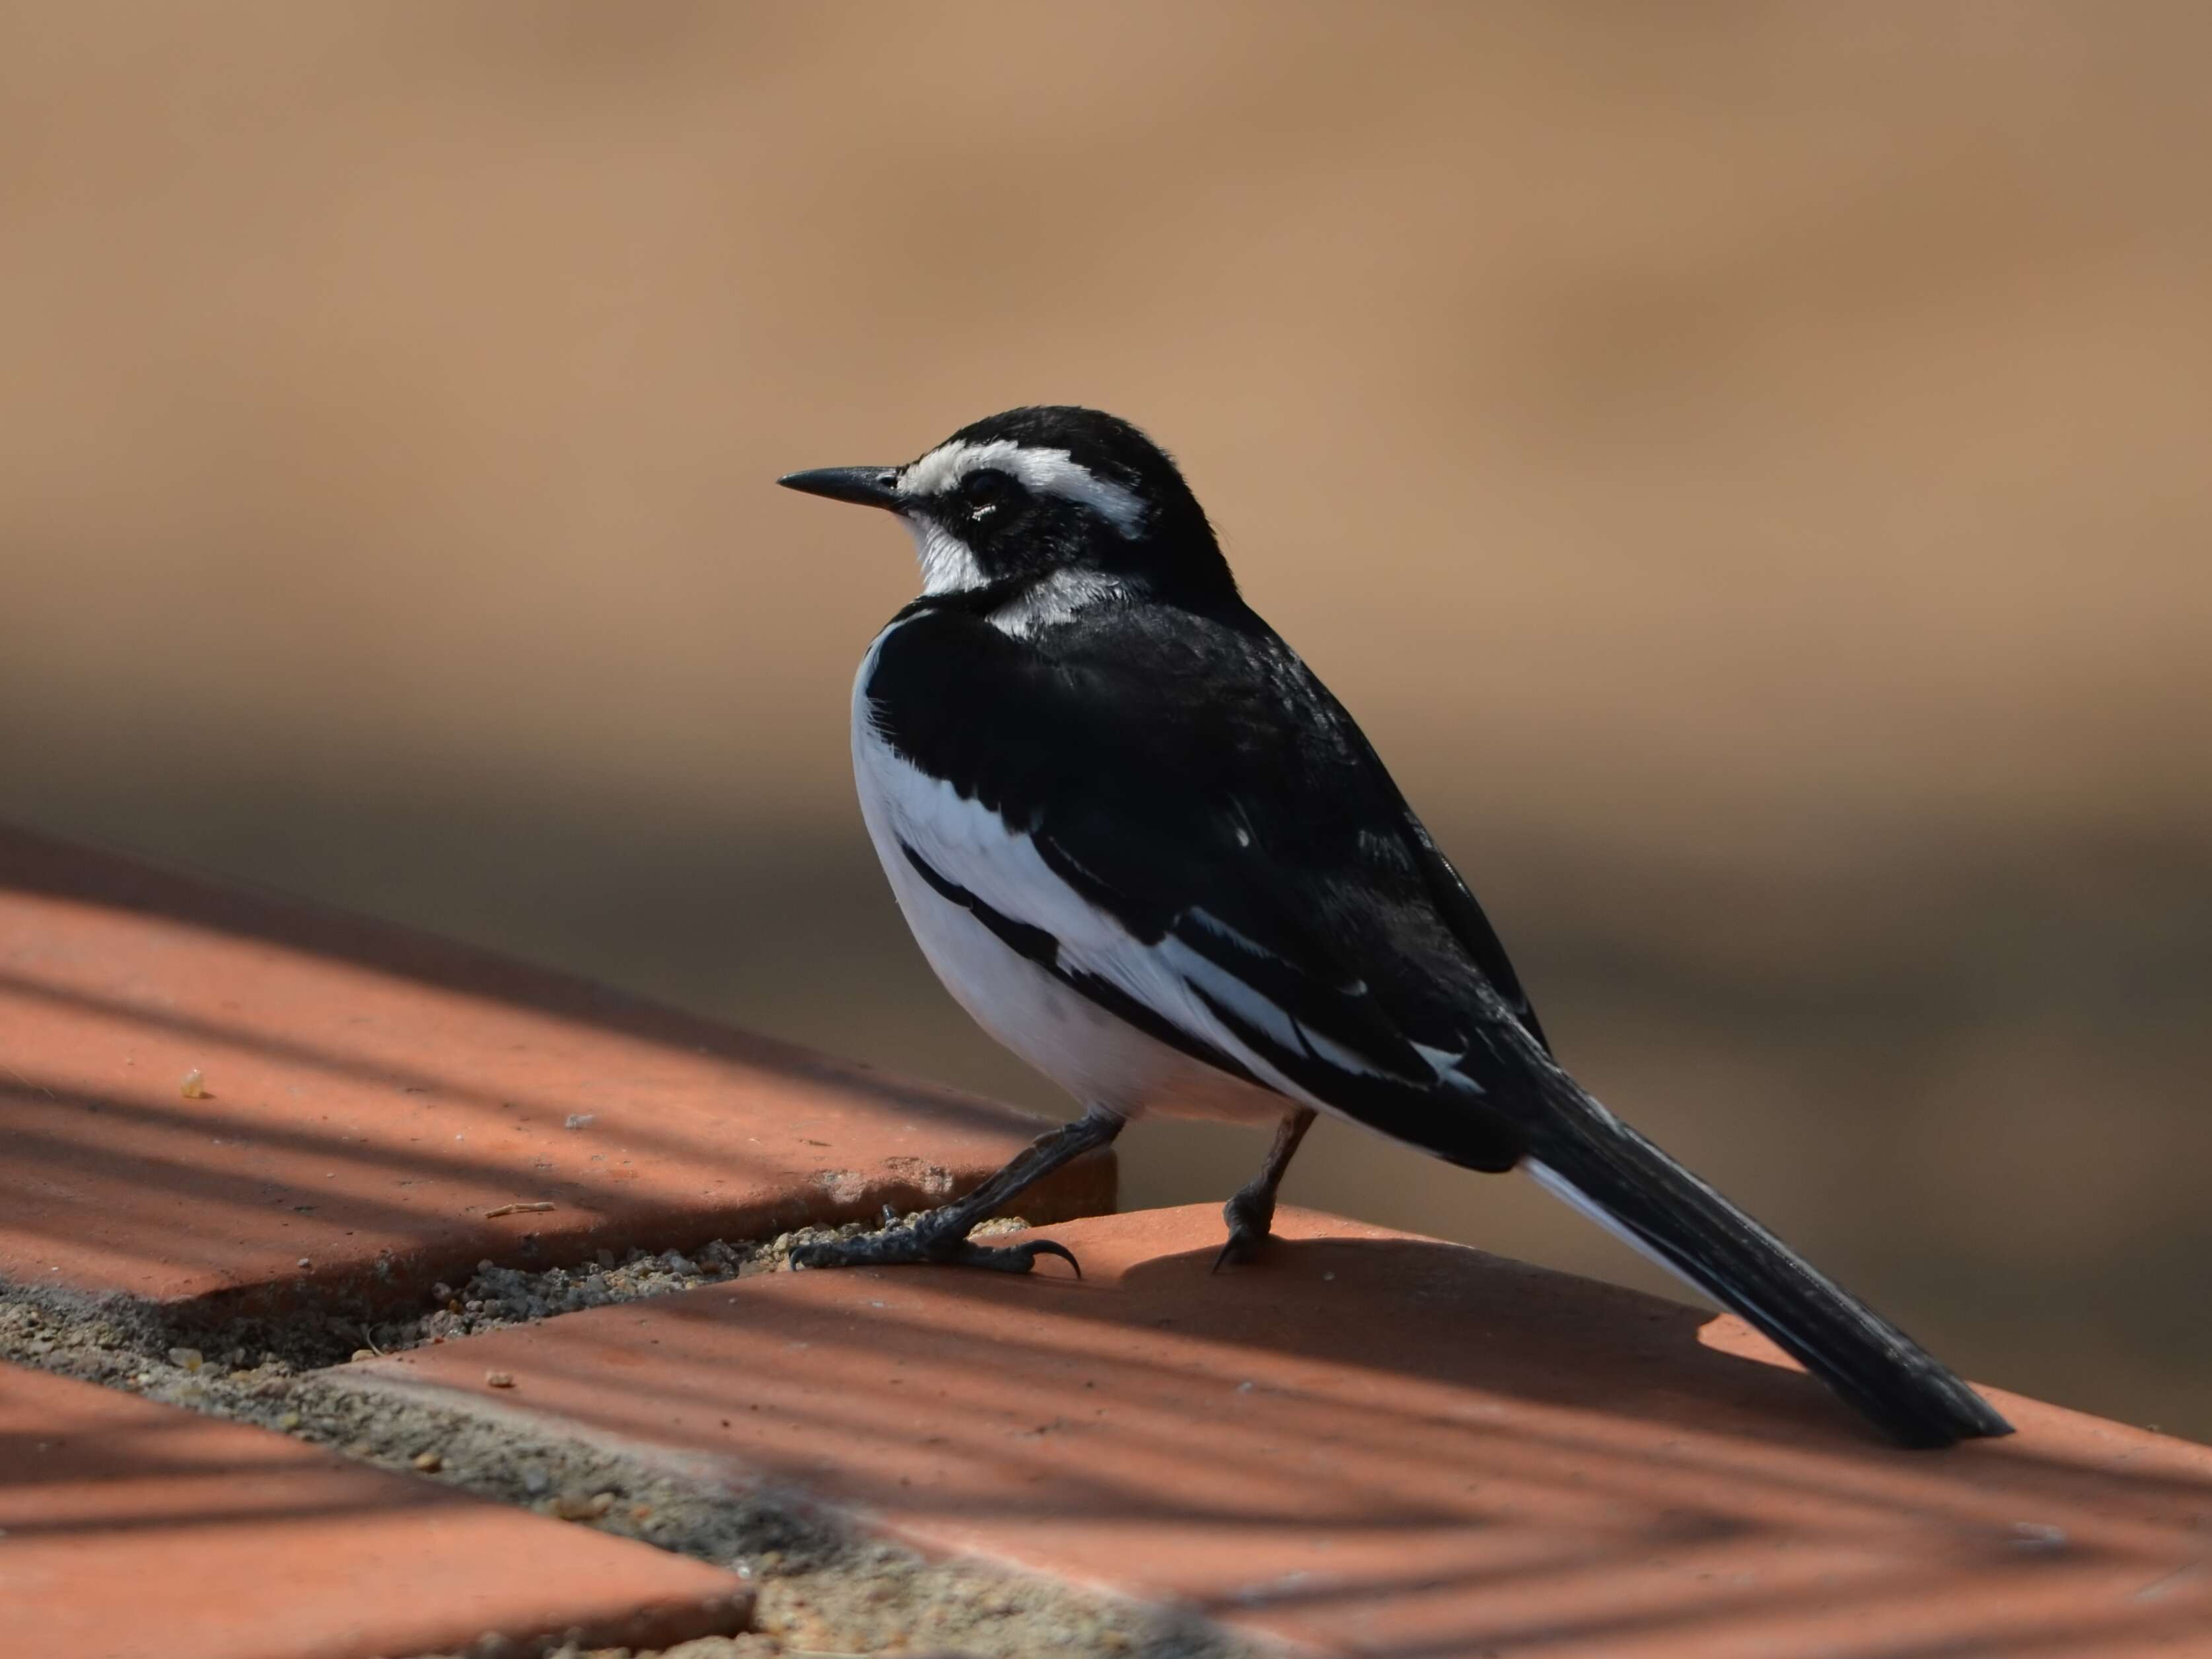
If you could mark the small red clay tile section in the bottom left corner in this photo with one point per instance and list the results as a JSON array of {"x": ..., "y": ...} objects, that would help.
[{"x": 140, "y": 1530}]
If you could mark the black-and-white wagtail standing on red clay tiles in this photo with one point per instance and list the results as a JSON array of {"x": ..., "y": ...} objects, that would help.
[{"x": 1149, "y": 853}]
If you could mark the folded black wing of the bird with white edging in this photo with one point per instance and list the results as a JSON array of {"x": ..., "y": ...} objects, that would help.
[{"x": 1213, "y": 875}]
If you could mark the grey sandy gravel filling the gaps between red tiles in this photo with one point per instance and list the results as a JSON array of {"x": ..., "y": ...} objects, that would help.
[{"x": 824, "y": 1587}]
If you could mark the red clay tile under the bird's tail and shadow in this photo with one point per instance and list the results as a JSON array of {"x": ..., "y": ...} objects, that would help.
[{"x": 1377, "y": 1443}]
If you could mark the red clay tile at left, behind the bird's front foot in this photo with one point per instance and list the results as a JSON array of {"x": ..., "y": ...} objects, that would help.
[{"x": 368, "y": 1100}]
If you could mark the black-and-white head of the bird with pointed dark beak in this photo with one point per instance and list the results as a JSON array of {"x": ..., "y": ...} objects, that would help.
[{"x": 1043, "y": 492}]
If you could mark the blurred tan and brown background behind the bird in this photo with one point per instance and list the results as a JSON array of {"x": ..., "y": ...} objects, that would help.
[{"x": 1746, "y": 466}]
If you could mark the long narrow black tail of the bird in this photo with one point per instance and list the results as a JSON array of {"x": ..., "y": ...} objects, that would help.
[{"x": 1583, "y": 1154}]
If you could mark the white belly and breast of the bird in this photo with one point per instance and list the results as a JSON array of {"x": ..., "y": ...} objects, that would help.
[{"x": 1096, "y": 1056}]
